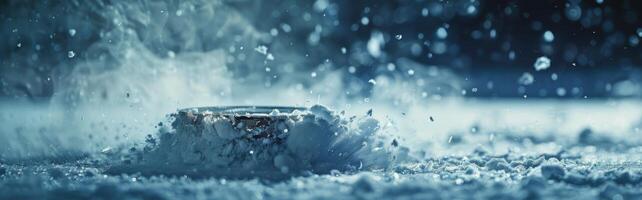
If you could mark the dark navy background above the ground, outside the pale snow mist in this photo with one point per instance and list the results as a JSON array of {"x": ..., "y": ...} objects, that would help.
[{"x": 591, "y": 53}]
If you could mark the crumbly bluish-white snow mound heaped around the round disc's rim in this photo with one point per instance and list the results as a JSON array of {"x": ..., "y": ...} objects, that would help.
[{"x": 316, "y": 140}]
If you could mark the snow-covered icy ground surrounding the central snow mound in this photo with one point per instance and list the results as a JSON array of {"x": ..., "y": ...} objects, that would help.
[{"x": 519, "y": 149}]
